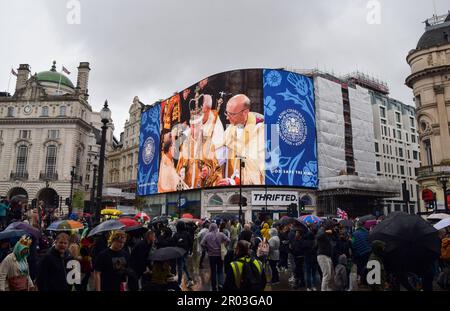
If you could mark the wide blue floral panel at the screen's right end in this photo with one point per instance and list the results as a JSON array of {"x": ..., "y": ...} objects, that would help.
[{"x": 289, "y": 107}]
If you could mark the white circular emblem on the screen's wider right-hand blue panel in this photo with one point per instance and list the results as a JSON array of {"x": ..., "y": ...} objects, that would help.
[{"x": 292, "y": 126}]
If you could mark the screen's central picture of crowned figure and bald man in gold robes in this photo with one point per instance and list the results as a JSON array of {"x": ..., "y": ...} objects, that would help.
[{"x": 220, "y": 121}]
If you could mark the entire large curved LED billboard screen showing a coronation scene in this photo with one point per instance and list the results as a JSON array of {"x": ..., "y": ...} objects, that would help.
[{"x": 252, "y": 126}]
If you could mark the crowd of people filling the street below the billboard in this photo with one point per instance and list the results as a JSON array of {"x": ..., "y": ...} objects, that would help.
[{"x": 325, "y": 256}]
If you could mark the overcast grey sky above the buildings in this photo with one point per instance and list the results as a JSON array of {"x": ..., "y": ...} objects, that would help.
[{"x": 152, "y": 48}]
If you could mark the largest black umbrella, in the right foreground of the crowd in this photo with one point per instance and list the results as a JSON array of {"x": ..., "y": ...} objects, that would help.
[{"x": 412, "y": 244}]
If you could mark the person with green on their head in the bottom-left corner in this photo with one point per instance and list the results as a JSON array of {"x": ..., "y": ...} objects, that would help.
[{"x": 14, "y": 271}]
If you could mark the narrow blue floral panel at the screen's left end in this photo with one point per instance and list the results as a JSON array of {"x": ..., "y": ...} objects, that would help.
[{"x": 149, "y": 150}]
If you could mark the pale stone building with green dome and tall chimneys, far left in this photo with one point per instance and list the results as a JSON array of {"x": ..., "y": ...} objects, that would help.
[{"x": 47, "y": 129}]
